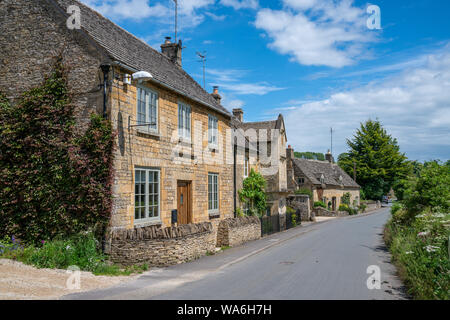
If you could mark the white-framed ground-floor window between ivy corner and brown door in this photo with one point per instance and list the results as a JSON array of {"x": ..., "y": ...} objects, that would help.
[{"x": 146, "y": 194}]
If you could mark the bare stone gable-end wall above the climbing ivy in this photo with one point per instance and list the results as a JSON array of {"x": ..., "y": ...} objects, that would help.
[{"x": 32, "y": 35}]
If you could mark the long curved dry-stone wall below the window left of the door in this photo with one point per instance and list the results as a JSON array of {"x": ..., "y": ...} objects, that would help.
[{"x": 161, "y": 247}]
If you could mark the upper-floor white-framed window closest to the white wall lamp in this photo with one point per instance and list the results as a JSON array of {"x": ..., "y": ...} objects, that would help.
[{"x": 147, "y": 111}]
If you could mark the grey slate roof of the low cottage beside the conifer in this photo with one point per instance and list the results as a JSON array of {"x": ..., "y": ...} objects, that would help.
[{"x": 313, "y": 169}]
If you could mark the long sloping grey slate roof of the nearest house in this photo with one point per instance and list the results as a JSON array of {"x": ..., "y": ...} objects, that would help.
[{"x": 122, "y": 46}]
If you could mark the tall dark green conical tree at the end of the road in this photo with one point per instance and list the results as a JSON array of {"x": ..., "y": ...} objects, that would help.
[{"x": 379, "y": 162}]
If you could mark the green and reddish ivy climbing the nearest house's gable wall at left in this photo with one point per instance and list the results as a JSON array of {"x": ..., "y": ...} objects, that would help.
[{"x": 53, "y": 181}]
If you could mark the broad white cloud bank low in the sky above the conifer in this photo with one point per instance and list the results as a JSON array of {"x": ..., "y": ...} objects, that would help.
[{"x": 414, "y": 106}]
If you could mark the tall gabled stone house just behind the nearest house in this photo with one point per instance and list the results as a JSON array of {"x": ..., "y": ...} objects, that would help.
[{"x": 270, "y": 140}]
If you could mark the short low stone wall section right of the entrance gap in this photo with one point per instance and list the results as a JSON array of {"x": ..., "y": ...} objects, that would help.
[{"x": 235, "y": 231}]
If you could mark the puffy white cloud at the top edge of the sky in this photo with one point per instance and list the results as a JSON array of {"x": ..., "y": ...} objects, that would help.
[{"x": 321, "y": 33}]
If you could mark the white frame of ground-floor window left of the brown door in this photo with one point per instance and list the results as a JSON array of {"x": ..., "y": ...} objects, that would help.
[{"x": 146, "y": 195}]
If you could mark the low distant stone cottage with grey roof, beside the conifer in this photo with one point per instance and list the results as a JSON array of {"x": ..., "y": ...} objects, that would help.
[{"x": 325, "y": 179}]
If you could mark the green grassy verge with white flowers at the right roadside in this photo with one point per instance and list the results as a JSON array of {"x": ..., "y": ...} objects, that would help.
[{"x": 420, "y": 251}]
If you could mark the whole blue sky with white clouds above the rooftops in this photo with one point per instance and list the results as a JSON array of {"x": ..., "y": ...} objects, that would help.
[{"x": 316, "y": 62}]
